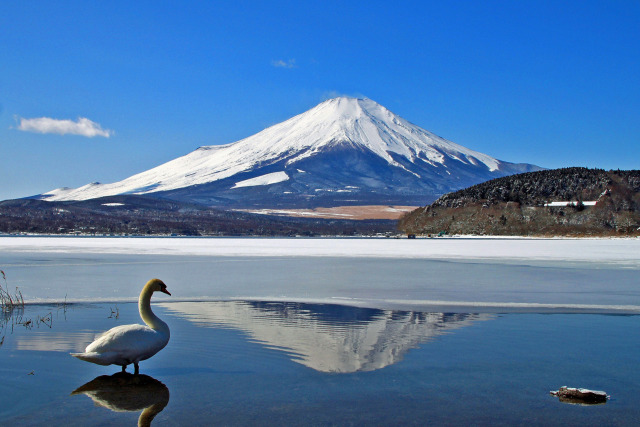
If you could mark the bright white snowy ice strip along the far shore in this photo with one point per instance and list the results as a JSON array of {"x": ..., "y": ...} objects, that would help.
[{"x": 616, "y": 251}]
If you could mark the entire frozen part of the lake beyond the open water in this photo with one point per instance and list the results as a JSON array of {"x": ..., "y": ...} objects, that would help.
[{"x": 591, "y": 275}]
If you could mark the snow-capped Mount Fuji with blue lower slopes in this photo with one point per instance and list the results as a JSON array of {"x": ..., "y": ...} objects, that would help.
[{"x": 344, "y": 151}]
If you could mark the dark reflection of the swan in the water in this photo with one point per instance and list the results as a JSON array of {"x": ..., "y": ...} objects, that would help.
[{"x": 125, "y": 392}]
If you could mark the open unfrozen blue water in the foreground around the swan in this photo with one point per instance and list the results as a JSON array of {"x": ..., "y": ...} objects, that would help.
[{"x": 276, "y": 363}]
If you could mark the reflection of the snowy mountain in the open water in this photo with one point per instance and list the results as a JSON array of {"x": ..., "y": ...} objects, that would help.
[{"x": 326, "y": 337}]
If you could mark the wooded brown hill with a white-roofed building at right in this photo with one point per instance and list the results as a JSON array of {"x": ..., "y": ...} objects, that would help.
[{"x": 569, "y": 201}]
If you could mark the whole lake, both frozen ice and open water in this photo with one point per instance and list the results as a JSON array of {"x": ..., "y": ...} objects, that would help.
[{"x": 446, "y": 334}]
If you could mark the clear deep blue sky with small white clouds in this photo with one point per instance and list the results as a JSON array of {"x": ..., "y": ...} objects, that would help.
[{"x": 554, "y": 83}]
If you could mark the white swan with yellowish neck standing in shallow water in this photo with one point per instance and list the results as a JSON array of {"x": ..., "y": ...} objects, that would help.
[{"x": 128, "y": 344}]
